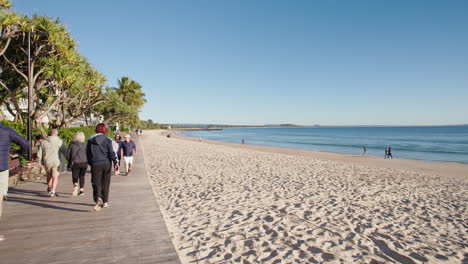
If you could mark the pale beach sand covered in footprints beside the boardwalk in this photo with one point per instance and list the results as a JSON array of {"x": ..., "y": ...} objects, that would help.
[{"x": 230, "y": 203}]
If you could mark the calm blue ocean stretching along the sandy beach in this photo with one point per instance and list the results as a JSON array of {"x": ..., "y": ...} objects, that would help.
[{"x": 437, "y": 143}]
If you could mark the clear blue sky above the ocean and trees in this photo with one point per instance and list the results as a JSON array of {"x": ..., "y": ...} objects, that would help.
[{"x": 269, "y": 62}]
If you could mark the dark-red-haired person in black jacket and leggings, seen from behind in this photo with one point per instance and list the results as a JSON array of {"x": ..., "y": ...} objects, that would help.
[{"x": 101, "y": 155}]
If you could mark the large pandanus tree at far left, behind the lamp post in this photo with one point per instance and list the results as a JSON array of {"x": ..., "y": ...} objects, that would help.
[{"x": 49, "y": 41}]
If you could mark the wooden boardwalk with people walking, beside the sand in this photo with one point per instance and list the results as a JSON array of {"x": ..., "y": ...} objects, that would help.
[{"x": 65, "y": 229}]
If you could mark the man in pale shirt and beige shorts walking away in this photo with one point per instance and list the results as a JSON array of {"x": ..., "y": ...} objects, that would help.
[{"x": 49, "y": 155}]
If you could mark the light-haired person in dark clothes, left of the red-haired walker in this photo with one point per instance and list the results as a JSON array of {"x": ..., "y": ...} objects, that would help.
[{"x": 78, "y": 162}]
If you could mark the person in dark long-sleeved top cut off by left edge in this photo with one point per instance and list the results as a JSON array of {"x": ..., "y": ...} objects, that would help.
[{"x": 7, "y": 136}]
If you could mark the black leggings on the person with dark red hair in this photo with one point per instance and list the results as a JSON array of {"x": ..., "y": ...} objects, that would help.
[{"x": 100, "y": 179}]
